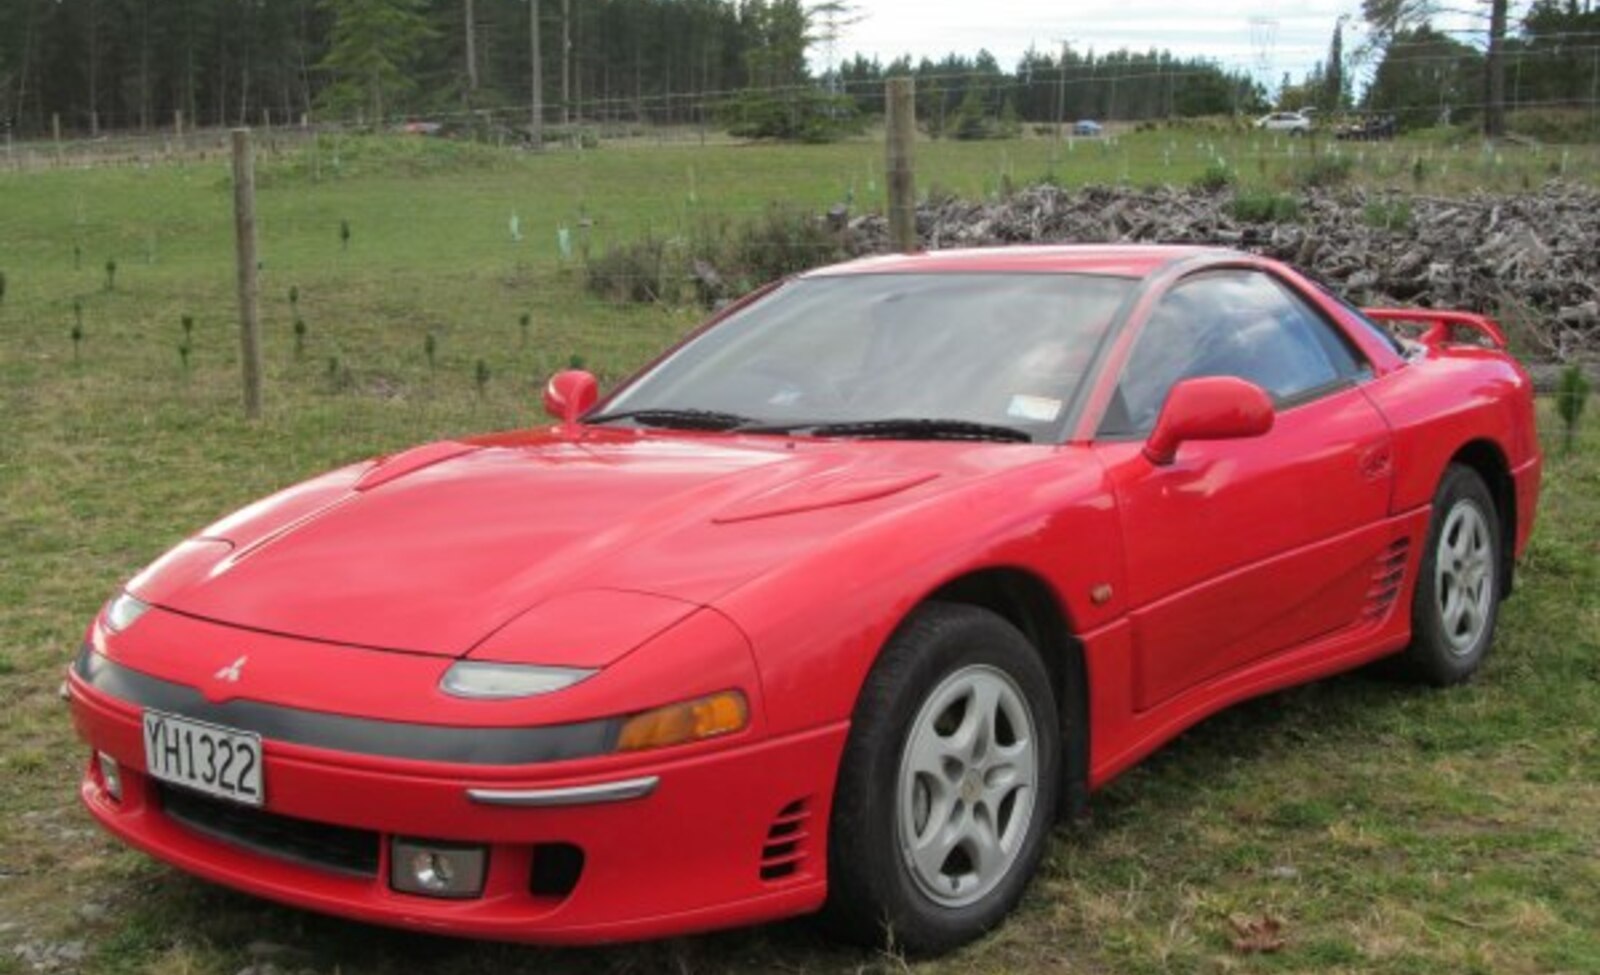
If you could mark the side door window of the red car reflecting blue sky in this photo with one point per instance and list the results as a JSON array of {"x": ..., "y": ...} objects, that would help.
[{"x": 1230, "y": 324}]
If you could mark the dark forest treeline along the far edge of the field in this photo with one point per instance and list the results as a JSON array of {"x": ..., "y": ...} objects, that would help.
[{"x": 134, "y": 65}]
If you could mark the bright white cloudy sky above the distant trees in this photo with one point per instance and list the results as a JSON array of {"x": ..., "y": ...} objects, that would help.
[{"x": 1268, "y": 38}]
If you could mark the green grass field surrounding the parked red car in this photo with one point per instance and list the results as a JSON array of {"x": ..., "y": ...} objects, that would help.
[{"x": 1386, "y": 829}]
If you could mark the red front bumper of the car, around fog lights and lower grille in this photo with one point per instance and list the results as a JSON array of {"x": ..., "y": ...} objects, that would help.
[{"x": 692, "y": 853}]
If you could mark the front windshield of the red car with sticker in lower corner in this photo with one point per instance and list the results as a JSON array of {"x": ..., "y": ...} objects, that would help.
[{"x": 1001, "y": 350}]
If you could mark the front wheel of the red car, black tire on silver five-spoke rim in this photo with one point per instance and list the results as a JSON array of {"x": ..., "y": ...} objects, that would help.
[{"x": 948, "y": 787}]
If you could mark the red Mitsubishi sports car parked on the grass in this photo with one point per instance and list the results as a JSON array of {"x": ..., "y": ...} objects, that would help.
[{"x": 836, "y": 606}]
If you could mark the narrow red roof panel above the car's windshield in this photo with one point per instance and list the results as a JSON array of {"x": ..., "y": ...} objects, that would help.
[{"x": 1137, "y": 262}]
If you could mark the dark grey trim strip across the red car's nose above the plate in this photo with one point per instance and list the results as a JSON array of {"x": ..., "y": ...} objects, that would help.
[{"x": 359, "y": 736}]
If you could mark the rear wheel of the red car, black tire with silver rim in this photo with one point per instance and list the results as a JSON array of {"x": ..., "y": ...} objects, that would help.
[{"x": 1457, "y": 601}]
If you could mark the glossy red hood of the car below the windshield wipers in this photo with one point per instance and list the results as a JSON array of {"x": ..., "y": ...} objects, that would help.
[{"x": 614, "y": 534}]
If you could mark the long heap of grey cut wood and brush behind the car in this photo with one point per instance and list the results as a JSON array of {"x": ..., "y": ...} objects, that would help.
[{"x": 1534, "y": 260}]
